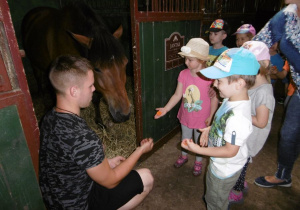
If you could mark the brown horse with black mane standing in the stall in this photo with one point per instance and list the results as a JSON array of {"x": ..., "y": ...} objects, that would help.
[{"x": 76, "y": 29}]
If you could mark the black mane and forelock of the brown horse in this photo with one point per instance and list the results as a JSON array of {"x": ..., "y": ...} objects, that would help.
[{"x": 105, "y": 45}]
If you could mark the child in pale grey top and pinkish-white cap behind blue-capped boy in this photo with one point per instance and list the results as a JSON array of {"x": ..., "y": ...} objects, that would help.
[{"x": 262, "y": 109}]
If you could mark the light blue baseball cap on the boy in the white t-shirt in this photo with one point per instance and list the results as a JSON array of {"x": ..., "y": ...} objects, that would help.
[{"x": 233, "y": 61}]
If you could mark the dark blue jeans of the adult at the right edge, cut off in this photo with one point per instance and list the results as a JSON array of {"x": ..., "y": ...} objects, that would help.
[{"x": 289, "y": 144}]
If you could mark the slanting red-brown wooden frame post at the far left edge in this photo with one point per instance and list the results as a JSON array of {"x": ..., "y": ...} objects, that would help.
[{"x": 13, "y": 63}]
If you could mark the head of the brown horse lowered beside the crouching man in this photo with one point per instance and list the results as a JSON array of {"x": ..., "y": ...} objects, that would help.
[{"x": 109, "y": 61}]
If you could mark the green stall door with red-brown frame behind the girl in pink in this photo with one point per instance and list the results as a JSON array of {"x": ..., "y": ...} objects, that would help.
[{"x": 154, "y": 81}]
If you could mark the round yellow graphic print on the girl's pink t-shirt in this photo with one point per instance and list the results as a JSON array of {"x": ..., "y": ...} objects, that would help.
[{"x": 191, "y": 99}]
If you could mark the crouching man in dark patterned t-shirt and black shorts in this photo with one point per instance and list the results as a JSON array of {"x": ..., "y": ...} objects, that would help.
[{"x": 74, "y": 172}]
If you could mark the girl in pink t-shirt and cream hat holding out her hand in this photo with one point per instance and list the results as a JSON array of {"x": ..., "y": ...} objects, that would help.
[{"x": 197, "y": 108}]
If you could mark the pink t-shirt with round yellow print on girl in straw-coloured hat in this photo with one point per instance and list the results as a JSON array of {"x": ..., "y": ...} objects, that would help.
[{"x": 195, "y": 105}]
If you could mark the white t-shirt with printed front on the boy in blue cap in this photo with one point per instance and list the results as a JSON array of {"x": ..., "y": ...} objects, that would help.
[{"x": 232, "y": 123}]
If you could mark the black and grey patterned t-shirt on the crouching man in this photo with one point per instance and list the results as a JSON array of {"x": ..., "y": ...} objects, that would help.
[{"x": 68, "y": 147}]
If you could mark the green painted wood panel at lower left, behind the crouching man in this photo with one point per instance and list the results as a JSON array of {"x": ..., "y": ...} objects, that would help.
[{"x": 18, "y": 184}]
